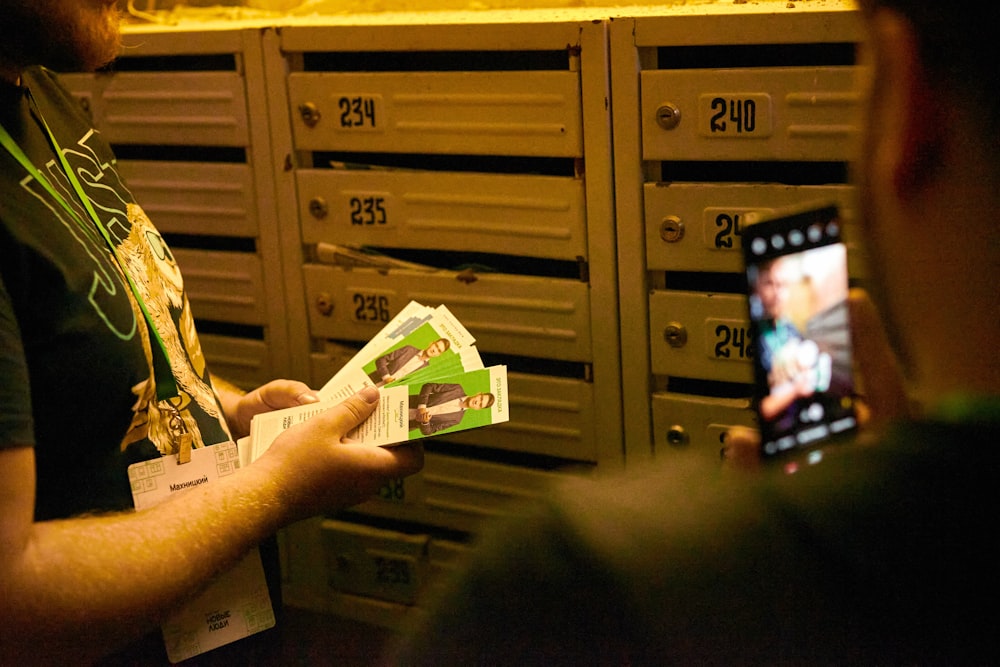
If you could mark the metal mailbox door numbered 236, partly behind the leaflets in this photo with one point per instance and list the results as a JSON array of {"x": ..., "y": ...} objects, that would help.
[{"x": 520, "y": 315}]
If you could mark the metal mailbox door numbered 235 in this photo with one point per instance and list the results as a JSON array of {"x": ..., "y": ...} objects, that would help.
[{"x": 537, "y": 216}]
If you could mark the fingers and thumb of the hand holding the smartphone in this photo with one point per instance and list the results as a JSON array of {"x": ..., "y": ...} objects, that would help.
[{"x": 884, "y": 395}]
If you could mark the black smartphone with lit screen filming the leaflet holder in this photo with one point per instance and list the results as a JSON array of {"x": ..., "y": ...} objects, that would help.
[{"x": 797, "y": 285}]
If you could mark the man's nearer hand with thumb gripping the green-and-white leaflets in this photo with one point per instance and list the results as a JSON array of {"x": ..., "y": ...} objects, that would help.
[{"x": 315, "y": 470}]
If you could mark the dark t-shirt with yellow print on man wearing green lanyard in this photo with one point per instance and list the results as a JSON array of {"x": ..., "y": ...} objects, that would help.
[{"x": 75, "y": 364}]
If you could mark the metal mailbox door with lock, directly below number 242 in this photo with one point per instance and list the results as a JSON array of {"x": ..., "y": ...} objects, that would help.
[{"x": 683, "y": 422}]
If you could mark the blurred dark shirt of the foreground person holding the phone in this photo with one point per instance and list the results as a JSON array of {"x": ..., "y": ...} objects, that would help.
[{"x": 879, "y": 555}]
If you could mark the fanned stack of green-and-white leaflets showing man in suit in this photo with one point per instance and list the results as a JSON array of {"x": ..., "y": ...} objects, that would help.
[{"x": 430, "y": 378}]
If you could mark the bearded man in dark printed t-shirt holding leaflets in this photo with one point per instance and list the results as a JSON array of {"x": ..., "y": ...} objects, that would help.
[{"x": 101, "y": 366}]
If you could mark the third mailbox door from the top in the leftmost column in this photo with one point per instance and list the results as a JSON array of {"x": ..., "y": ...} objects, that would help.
[{"x": 223, "y": 286}]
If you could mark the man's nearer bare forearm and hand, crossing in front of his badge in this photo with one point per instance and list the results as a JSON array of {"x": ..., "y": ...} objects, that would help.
[{"x": 75, "y": 589}]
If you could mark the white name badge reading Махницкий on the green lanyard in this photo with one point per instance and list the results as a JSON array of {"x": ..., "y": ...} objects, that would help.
[{"x": 237, "y": 603}]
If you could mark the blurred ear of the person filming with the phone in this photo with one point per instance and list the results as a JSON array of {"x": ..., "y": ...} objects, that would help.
[{"x": 915, "y": 117}]
